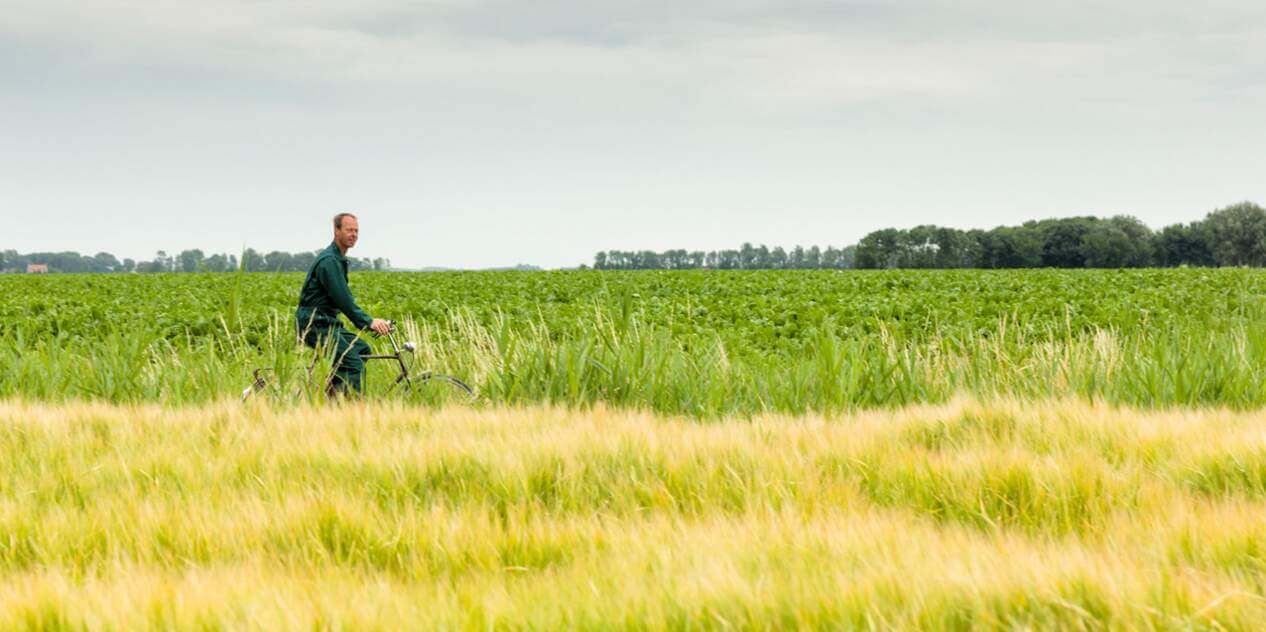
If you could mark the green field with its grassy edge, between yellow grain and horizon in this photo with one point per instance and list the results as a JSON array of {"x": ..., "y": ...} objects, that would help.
[{"x": 696, "y": 344}]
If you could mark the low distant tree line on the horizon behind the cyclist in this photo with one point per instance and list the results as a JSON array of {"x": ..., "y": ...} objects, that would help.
[{"x": 185, "y": 262}]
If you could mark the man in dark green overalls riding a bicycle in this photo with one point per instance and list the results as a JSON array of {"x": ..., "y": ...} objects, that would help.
[{"x": 325, "y": 296}]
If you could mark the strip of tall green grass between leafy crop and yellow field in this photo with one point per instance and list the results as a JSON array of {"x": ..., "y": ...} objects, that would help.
[{"x": 618, "y": 360}]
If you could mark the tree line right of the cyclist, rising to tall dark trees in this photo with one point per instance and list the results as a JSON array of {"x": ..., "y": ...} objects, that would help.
[{"x": 1232, "y": 236}]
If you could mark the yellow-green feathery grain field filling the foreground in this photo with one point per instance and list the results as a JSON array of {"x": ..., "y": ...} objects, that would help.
[{"x": 1059, "y": 515}]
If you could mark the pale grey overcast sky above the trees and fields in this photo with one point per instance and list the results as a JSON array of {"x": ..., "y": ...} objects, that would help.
[{"x": 470, "y": 134}]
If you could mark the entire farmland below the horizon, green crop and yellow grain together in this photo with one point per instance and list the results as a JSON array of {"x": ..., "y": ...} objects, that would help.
[{"x": 911, "y": 450}]
